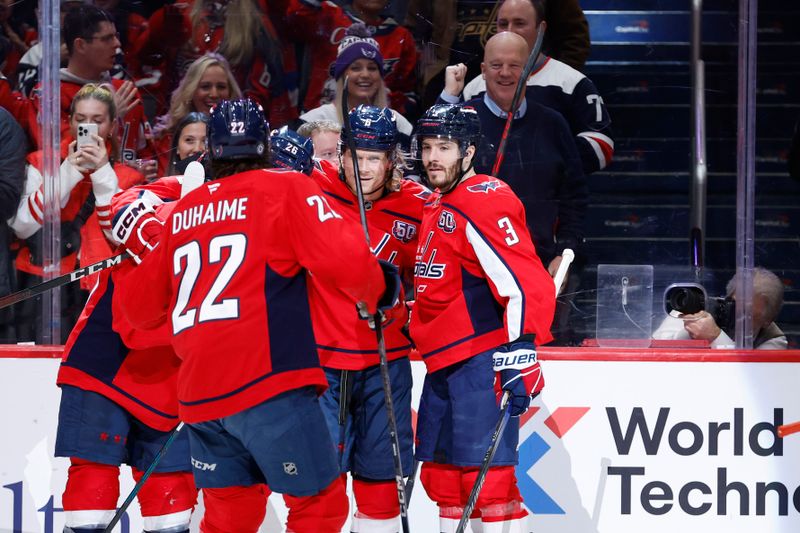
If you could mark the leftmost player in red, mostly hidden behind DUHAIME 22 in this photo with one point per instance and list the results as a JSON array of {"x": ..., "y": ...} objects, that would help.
[{"x": 119, "y": 405}]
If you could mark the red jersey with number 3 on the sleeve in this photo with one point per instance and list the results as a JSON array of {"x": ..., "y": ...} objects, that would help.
[{"x": 478, "y": 280}]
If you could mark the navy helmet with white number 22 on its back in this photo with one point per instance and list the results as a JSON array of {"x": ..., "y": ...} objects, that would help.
[{"x": 237, "y": 130}]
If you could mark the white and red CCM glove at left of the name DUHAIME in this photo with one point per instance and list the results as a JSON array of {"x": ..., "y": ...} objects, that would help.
[{"x": 138, "y": 228}]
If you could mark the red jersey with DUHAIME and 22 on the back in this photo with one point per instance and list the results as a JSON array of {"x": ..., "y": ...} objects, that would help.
[{"x": 229, "y": 274}]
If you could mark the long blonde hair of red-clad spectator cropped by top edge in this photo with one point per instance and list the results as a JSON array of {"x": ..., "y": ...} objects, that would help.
[{"x": 242, "y": 24}]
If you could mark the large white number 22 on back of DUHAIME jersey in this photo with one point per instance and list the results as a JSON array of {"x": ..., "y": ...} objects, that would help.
[{"x": 188, "y": 260}]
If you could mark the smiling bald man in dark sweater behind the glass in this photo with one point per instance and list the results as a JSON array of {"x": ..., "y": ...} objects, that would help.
[{"x": 541, "y": 163}]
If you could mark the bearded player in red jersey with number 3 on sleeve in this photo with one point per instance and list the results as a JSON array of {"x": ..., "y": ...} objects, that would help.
[{"x": 483, "y": 303}]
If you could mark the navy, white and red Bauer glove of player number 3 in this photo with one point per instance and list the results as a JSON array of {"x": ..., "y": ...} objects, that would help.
[{"x": 518, "y": 372}]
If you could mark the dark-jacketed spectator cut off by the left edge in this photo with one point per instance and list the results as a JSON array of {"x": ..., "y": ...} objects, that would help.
[{"x": 12, "y": 180}]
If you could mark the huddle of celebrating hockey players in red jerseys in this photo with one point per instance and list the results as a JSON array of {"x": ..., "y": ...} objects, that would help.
[{"x": 273, "y": 309}]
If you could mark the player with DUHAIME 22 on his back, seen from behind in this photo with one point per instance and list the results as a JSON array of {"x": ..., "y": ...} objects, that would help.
[{"x": 229, "y": 276}]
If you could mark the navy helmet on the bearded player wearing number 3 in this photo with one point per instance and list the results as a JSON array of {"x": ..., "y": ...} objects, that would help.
[{"x": 448, "y": 121}]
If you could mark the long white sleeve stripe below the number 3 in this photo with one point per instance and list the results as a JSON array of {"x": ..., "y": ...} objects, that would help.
[{"x": 503, "y": 279}]
